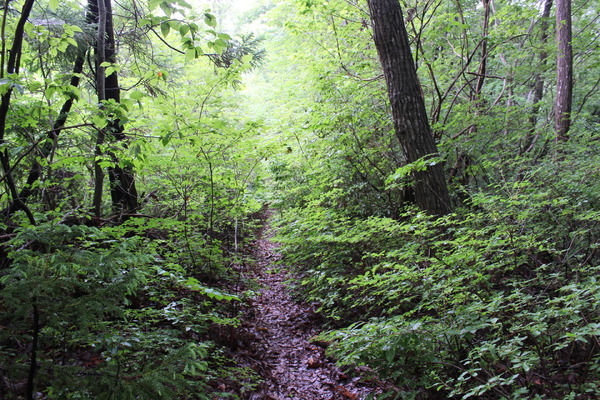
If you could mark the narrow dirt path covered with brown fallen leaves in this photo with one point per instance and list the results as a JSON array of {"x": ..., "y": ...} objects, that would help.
[{"x": 279, "y": 329}]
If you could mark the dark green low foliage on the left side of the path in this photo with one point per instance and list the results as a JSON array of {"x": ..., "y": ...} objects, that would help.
[{"x": 106, "y": 317}]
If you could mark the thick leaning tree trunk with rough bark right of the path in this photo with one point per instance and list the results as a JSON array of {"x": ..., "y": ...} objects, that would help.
[{"x": 408, "y": 108}]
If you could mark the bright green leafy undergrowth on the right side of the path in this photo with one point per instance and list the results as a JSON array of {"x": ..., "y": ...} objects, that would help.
[{"x": 499, "y": 300}]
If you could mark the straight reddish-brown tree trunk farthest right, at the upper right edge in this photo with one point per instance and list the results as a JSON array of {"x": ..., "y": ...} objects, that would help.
[{"x": 564, "y": 69}]
